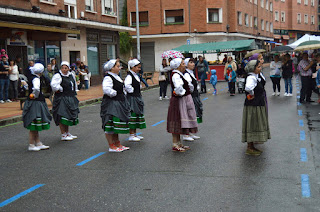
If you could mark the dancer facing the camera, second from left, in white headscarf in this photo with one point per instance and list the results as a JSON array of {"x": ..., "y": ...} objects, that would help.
[{"x": 65, "y": 106}]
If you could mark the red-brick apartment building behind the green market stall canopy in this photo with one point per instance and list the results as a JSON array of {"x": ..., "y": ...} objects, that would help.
[{"x": 166, "y": 24}]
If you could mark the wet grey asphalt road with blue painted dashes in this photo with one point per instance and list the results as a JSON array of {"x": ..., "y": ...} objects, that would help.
[{"x": 215, "y": 175}]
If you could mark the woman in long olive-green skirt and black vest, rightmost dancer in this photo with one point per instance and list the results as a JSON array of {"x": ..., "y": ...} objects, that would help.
[{"x": 255, "y": 124}]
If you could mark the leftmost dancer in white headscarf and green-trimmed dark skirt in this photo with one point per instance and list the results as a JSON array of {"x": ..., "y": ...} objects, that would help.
[{"x": 36, "y": 115}]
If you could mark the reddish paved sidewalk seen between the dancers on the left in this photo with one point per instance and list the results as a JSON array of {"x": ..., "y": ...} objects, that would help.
[{"x": 11, "y": 113}]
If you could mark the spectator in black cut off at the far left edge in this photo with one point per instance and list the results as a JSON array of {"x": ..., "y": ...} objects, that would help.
[{"x": 4, "y": 80}]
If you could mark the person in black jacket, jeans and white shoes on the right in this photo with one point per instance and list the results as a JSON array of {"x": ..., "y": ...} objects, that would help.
[{"x": 287, "y": 74}]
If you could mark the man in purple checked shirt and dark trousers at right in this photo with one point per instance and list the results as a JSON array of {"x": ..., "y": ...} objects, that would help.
[{"x": 306, "y": 78}]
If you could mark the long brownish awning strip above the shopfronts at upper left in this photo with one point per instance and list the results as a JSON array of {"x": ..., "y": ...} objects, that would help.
[{"x": 38, "y": 27}]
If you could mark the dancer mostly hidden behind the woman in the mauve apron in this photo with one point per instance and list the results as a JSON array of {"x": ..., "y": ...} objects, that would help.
[{"x": 190, "y": 77}]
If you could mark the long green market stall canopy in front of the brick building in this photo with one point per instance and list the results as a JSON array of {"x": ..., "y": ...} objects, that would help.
[{"x": 216, "y": 47}]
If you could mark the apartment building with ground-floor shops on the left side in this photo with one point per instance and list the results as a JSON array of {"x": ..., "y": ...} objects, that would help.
[{"x": 71, "y": 30}]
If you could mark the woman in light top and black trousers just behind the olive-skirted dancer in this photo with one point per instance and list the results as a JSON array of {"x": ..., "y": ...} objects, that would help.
[{"x": 275, "y": 75}]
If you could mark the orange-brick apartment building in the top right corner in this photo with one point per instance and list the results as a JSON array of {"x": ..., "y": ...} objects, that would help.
[{"x": 294, "y": 18}]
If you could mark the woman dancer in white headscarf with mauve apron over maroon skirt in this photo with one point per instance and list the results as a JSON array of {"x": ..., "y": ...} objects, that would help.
[{"x": 181, "y": 117}]
